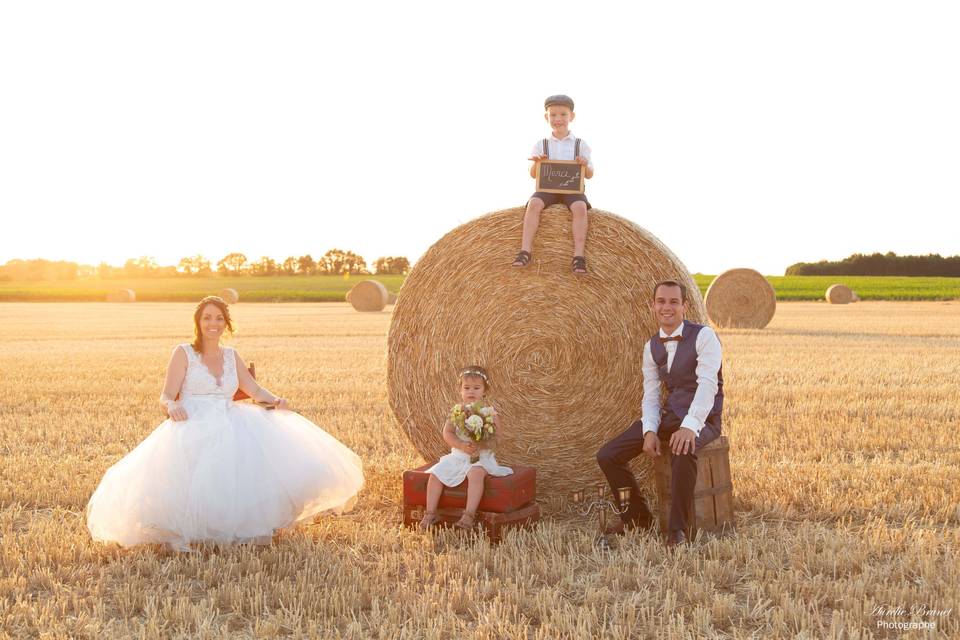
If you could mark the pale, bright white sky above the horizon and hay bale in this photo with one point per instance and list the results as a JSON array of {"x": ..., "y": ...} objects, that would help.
[{"x": 741, "y": 134}]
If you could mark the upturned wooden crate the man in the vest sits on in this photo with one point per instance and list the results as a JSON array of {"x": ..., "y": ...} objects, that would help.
[{"x": 713, "y": 494}]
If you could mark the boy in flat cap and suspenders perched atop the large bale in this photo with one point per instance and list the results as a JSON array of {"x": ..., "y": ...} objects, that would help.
[{"x": 560, "y": 146}]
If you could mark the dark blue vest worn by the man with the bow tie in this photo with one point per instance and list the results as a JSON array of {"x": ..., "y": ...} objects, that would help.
[{"x": 681, "y": 380}]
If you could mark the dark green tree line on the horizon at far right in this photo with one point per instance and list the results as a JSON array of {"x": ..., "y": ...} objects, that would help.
[{"x": 881, "y": 264}]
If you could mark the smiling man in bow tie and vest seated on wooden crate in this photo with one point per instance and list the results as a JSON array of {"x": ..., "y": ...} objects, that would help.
[{"x": 685, "y": 358}]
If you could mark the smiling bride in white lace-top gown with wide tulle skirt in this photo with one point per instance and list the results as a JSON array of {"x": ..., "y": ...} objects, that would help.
[{"x": 216, "y": 470}]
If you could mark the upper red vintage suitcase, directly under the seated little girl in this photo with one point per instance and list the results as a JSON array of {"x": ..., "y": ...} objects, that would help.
[{"x": 500, "y": 495}]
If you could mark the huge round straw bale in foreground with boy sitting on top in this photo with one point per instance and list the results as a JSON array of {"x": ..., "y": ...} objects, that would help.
[{"x": 564, "y": 352}]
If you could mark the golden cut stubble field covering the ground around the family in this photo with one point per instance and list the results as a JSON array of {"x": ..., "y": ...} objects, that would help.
[{"x": 845, "y": 453}]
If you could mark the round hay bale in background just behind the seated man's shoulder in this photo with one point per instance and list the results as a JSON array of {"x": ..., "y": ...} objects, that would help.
[{"x": 740, "y": 299}]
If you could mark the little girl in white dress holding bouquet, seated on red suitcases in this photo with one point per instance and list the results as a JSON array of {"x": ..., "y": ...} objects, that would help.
[{"x": 452, "y": 468}]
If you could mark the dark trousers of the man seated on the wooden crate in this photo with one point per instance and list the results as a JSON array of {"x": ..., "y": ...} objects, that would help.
[{"x": 614, "y": 460}]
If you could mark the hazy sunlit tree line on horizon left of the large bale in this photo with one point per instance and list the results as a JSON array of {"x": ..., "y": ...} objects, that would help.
[{"x": 333, "y": 262}]
